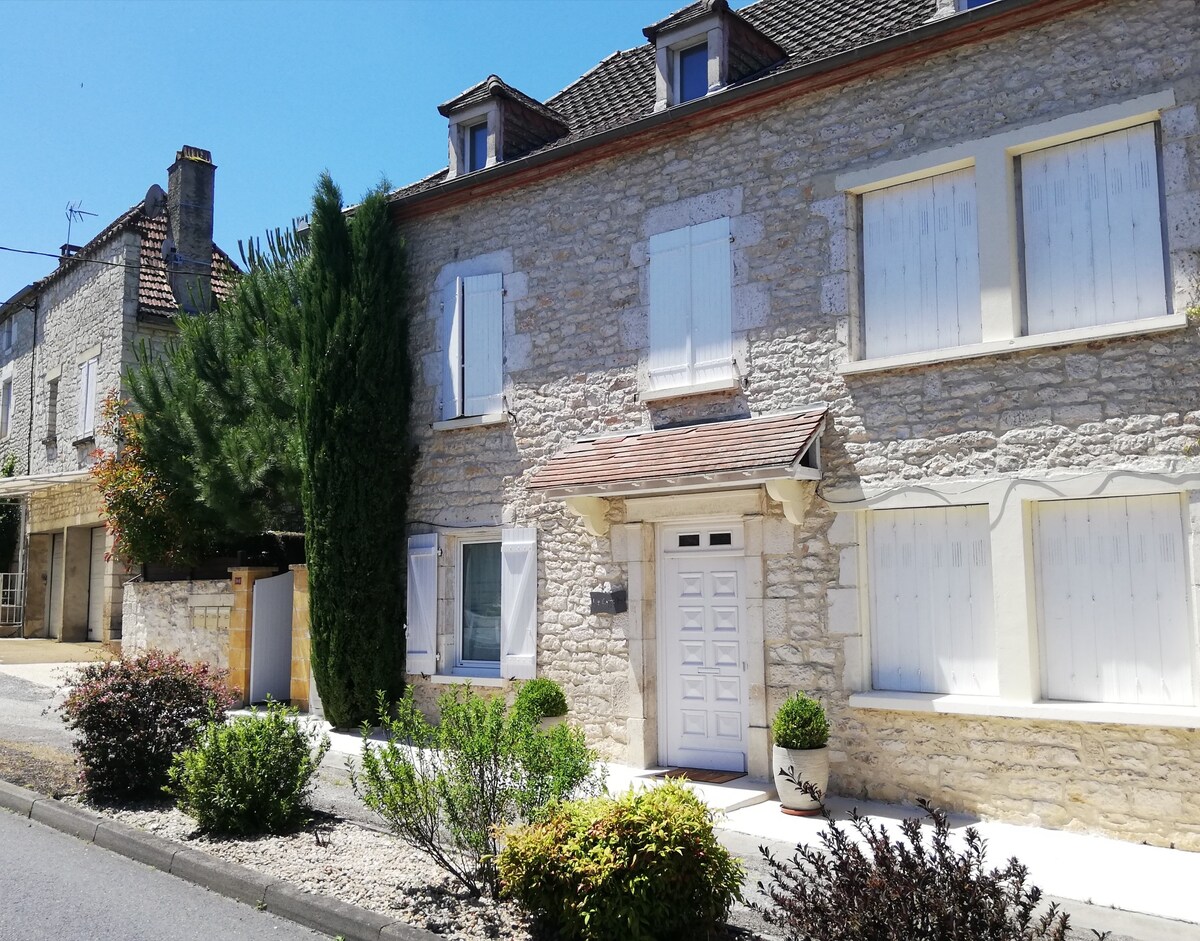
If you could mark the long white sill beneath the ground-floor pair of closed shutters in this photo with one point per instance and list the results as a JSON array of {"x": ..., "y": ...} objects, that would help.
[{"x": 1108, "y": 714}]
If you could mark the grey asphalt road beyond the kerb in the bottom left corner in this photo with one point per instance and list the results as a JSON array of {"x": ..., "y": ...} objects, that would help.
[{"x": 56, "y": 888}]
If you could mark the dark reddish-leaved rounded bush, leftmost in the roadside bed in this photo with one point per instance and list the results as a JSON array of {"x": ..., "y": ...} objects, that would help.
[{"x": 131, "y": 716}]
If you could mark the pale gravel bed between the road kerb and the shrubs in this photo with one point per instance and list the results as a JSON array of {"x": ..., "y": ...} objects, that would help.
[{"x": 349, "y": 862}]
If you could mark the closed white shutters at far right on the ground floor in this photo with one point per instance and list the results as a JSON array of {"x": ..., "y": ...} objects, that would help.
[{"x": 1113, "y": 597}]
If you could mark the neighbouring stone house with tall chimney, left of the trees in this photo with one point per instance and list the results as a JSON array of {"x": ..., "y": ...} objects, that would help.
[{"x": 64, "y": 344}]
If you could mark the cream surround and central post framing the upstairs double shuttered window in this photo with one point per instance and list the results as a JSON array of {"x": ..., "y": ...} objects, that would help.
[{"x": 997, "y": 163}]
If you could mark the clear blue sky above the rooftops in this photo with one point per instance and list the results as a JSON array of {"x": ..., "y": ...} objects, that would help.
[{"x": 97, "y": 98}]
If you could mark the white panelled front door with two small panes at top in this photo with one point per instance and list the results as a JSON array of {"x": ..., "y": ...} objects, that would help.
[{"x": 704, "y": 708}]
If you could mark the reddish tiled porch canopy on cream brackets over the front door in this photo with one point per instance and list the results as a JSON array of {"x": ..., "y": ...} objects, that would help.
[{"x": 778, "y": 451}]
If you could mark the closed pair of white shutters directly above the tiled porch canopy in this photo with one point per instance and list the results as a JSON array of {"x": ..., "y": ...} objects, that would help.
[{"x": 692, "y": 309}]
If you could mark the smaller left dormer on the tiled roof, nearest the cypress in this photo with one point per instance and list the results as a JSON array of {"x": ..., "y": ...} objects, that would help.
[{"x": 494, "y": 123}]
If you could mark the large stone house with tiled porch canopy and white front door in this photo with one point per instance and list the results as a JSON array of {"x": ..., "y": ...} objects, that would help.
[{"x": 866, "y": 371}]
